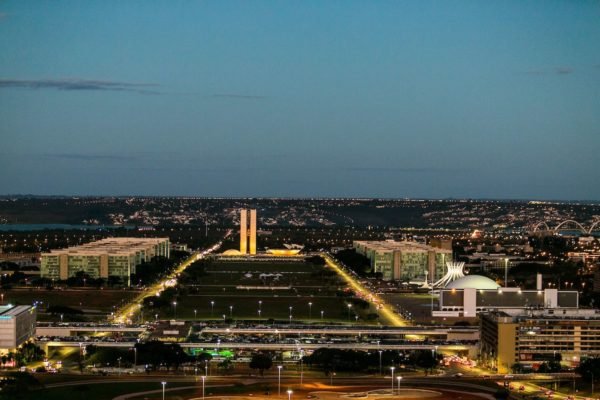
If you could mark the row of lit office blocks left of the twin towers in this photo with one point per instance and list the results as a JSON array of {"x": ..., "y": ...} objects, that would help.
[{"x": 107, "y": 257}]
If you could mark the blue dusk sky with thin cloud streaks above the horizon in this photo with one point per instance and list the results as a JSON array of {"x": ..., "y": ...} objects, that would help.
[{"x": 419, "y": 99}]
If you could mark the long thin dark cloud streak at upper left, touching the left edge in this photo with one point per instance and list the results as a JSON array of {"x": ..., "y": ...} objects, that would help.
[{"x": 79, "y": 84}]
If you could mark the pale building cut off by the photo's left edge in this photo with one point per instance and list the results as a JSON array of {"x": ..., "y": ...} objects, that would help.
[{"x": 17, "y": 325}]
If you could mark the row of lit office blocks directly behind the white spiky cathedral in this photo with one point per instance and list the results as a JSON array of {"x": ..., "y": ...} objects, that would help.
[{"x": 405, "y": 260}]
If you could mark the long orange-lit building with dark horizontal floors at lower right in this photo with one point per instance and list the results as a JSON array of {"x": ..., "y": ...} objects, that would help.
[{"x": 536, "y": 336}]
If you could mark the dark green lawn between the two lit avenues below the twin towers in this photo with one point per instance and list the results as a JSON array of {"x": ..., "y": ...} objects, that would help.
[{"x": 226, "y": 285}]
